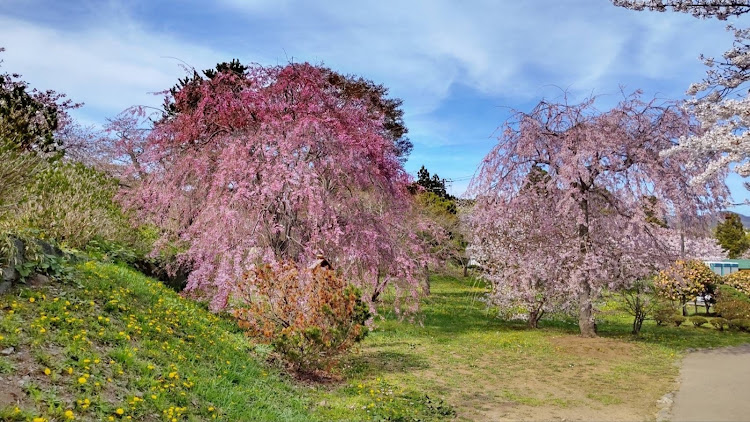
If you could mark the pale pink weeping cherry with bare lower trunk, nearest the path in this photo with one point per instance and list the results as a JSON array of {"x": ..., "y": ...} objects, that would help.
[{"x": 593, "y": 225}]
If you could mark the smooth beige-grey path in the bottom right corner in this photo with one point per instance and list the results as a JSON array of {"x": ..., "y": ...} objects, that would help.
[{"x": 715, "y": 386}]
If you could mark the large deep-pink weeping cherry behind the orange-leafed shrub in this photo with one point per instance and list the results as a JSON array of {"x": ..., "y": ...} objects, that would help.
[{"x": 261, "y": 164}]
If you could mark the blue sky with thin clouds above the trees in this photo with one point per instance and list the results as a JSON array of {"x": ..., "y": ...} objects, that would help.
[{"x": 459, "y": 66}]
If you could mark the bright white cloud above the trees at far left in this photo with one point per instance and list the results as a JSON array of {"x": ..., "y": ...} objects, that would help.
[{"x": 108, "y": 67}]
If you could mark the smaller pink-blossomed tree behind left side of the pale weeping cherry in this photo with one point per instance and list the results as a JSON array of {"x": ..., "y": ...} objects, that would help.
[{"x": 518, "y": 248}]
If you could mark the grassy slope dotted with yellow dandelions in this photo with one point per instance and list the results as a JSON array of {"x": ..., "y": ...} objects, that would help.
[{"x": 122, "y": 341}]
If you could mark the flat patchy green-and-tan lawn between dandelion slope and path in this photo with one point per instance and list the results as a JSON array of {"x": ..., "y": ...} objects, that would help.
[{"x": 488, "y": 369}]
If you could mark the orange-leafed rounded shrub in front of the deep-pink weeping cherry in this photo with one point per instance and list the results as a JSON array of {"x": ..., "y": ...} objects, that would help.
[{"x": 310, "y": 316}]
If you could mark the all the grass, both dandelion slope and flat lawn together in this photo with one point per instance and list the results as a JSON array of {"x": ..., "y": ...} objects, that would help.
[{"x": 115, "y": 345}]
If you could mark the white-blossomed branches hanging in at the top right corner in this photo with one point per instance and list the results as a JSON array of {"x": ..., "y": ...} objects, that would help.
[{"x": 721, "y": 102}]
